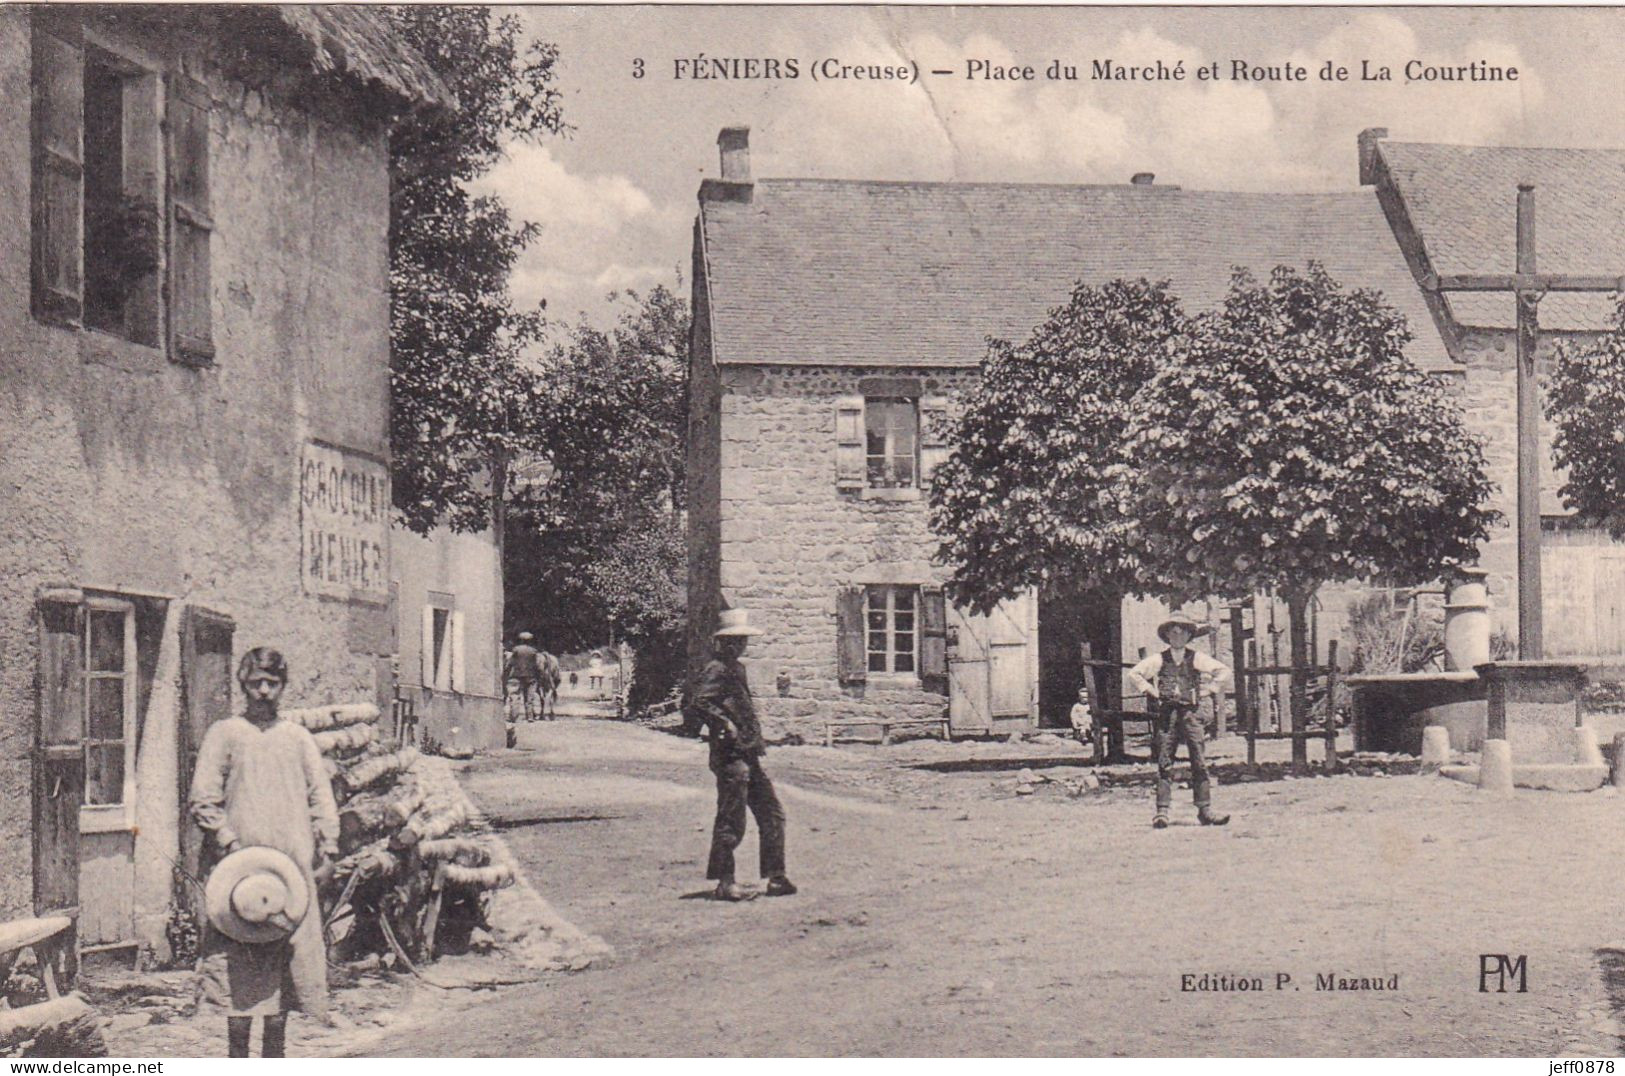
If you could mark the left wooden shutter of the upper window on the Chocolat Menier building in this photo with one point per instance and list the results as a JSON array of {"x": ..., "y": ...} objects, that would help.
[{"x": 58, "y": 253}]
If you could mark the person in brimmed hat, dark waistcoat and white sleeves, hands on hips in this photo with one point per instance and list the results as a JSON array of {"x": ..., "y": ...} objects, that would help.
[{"x": 1174, "y": 682}]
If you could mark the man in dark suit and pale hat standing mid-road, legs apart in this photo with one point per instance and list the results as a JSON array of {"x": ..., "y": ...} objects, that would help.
[{"x": 722, "y": 700}]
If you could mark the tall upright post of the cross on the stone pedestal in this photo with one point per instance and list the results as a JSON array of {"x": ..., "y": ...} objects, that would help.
[{"x": 1530, "y": 638}]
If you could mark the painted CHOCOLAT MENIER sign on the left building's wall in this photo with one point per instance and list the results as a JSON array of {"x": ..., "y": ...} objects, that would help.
[{"x": 344, "y": 524}]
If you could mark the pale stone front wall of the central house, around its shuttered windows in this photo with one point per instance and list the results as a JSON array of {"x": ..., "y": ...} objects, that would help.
[{"x": 791, "y": 540}]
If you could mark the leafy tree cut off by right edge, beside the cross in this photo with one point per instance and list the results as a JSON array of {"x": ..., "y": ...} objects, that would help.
[{"x": 1587, "y": 399}]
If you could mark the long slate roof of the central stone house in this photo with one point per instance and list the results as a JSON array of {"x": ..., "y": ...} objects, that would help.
[{"x": 898, "y": 274}]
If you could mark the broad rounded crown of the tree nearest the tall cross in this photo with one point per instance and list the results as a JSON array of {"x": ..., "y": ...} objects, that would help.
[{"x": 1296, "y": 446}]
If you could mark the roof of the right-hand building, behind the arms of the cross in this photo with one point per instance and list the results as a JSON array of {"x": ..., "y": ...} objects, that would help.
[{"x": 1463, "y": 204}]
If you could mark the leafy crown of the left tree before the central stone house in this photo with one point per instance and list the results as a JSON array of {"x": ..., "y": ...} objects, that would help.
[{"x": 1021, "y": 503}]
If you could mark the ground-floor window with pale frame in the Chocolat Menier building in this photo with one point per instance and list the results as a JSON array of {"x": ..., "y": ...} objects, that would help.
[{"x": 110, "y": 708}]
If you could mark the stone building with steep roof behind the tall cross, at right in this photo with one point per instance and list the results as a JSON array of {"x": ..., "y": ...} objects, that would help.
[{"x": 1454, "y": 212}]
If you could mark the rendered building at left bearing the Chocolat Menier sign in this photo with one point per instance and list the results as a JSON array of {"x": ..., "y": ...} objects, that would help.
[{"x": 194, "y": 414}]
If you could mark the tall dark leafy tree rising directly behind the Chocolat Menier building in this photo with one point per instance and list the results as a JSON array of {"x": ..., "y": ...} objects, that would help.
[{"x": 462, "y": 402}]
